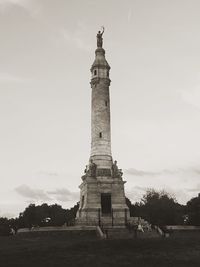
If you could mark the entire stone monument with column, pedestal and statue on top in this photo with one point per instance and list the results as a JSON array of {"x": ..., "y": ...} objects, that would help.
[{"x": 102, "y": 199}]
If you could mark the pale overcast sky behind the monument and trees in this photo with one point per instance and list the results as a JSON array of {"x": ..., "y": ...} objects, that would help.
[{"x": 46, "y": 51}]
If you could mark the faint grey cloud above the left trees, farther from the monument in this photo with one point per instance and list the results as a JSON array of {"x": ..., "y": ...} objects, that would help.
[{"x": 33, "y": 194}]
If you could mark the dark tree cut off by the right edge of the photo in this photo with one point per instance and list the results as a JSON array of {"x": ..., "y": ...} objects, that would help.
[{"x": 193, "y": 210}]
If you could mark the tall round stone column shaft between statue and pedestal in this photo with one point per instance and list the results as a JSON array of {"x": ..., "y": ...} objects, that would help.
[{"x": 100, "y": 111}]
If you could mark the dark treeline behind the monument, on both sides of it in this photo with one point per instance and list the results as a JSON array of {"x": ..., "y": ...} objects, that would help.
[{"x": 157, "y": 207}]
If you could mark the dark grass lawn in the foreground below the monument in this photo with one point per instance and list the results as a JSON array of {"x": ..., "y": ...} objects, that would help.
[{"x": 59, "y": 250}]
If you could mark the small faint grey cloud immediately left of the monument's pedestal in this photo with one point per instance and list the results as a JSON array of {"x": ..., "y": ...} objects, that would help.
[{"x": 64, "y": 194}]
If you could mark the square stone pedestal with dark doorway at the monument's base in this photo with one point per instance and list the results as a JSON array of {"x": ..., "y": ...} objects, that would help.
[{"x": 102, "y": 202}]
